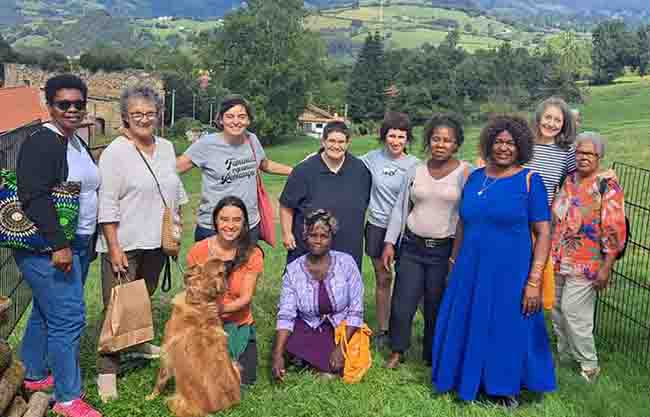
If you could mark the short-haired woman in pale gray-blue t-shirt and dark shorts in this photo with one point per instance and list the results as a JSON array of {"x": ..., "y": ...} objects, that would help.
[{"x": 388, "y": 166}]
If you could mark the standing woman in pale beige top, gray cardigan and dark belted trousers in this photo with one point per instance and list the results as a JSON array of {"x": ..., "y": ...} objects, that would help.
[{"x": 424, "y": 221}]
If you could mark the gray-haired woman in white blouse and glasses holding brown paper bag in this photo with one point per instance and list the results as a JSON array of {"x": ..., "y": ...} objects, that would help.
[{"x": 138, "y": 171}]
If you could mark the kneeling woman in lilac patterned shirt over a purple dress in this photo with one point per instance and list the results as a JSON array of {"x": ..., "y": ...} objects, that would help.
[{"x": 319, "y": 291}]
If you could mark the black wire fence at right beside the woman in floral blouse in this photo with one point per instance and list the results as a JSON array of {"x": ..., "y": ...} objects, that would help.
[{"x": 623, "y": 310}]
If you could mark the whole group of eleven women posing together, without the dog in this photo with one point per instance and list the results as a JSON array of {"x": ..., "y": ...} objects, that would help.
[{"x": 471, "y": 244}]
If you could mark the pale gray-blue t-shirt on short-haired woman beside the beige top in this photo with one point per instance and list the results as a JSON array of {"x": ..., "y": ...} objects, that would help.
[{"x": 387, "y": 176}]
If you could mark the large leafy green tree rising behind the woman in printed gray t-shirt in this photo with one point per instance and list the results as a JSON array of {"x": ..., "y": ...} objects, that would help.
[{"x": 264, "y": 52}]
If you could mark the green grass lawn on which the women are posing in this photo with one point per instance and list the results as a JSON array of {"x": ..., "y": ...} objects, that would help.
[{"x": 619, "y": 111}]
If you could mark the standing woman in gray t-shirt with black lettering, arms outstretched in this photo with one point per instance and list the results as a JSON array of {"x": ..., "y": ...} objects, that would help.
[{"x": 229, "y": 162}]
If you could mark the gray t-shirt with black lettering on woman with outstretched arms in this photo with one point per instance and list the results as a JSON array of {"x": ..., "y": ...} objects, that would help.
[{"x": 226, "y": 170}]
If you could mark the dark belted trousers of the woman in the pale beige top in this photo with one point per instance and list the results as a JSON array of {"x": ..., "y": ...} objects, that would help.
[{"x": 421, "y": 272}]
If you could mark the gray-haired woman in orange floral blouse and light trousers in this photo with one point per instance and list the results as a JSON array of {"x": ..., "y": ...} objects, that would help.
[{"x": 588, "y": 233}]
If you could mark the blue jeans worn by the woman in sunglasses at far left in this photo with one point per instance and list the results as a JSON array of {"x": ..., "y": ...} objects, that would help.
[{"x": 58, "y": 318}]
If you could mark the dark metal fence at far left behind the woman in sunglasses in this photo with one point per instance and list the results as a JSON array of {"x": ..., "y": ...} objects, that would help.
[{"x": 12, "y": 284}]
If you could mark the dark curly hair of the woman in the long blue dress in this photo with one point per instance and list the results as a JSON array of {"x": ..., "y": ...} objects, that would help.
[{"x": 521, "y": 133}]
